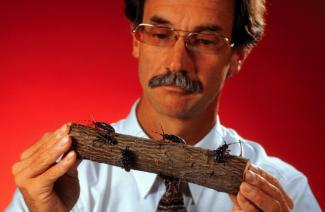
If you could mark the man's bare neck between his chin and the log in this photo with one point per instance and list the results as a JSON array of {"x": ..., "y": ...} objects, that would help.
[{"x": 192, "y": 129}]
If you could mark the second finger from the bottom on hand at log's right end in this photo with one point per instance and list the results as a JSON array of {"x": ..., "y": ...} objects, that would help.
[{"x": 261, "y": 199}]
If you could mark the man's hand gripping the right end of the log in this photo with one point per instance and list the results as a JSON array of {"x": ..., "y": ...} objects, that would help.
[{"x": 260, "y": 191}]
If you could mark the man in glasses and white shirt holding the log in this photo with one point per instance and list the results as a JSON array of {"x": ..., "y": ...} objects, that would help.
[{"x": 186, "y": 49}]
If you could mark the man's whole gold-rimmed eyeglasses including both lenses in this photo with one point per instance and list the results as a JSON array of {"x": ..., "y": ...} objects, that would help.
[{"x": 162, "y": 36}]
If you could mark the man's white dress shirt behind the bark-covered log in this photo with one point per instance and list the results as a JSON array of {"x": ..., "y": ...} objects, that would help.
[{"x": 109, "y": 188}]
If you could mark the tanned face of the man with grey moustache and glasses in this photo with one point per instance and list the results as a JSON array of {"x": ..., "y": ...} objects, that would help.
[{"x": 210, "y": 70}]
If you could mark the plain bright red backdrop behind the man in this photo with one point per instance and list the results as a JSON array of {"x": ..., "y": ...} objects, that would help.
[{"x": 70, "y": 61}]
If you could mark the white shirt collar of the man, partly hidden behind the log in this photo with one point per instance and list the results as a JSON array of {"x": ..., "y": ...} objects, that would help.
[{"x": 145, "y": 180}]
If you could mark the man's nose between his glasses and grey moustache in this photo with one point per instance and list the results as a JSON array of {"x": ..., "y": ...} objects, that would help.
[{"x": 179, "y": 57}]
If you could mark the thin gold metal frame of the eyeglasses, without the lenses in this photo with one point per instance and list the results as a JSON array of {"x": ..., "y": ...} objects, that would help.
[{"x": 187, "y": 36}]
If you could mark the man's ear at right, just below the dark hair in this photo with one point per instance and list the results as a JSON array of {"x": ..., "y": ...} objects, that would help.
[{"x": 237, "y": 60}]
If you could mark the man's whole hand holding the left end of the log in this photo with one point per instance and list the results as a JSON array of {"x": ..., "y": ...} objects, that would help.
[{"x": 45, "y": 184}]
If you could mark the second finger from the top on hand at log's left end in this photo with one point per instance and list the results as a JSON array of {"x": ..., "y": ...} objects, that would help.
[{"x": 41, "y": 162}]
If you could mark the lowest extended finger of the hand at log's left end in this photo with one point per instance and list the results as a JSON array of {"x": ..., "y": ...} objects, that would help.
[{"x": 59, "y": 169}]
